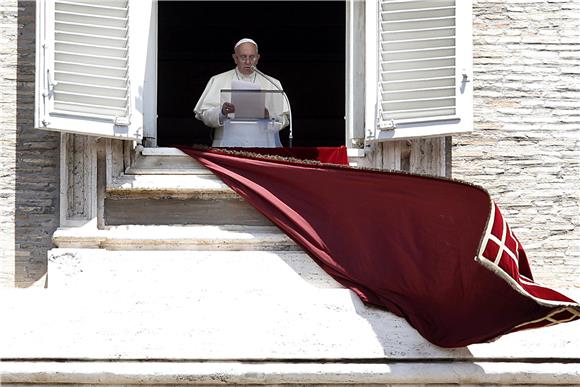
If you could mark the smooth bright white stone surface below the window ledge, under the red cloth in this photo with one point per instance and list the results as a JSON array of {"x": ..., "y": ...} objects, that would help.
[{"x": 226, "y": 306}]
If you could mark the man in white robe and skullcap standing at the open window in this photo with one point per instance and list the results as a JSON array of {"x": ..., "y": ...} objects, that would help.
[{"x": 214, "y": 113}]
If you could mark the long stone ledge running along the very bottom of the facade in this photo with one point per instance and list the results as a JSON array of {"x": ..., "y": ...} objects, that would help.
[{"x": 269, "y": 373}]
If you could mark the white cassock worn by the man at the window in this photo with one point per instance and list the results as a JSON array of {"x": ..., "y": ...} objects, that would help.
[{"x": 208, "y": 110}]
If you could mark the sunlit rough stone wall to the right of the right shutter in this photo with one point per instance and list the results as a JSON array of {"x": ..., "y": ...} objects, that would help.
[{"x": 526, "y": 145}]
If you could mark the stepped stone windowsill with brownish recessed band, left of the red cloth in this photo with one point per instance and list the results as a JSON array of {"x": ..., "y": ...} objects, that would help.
[{"x": 167, "y": 187}]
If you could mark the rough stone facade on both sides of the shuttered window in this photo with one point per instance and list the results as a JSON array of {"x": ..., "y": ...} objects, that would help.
[{"x": 524, "y": 150}]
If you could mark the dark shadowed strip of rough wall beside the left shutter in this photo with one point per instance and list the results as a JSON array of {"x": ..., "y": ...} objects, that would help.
[{"x": 37, "y": 165}]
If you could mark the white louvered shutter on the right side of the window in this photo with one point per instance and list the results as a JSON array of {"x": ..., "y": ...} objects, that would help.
[{"x": 424, "y": 68}]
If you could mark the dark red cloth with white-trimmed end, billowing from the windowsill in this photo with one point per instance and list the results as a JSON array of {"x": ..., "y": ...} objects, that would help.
[{"x": 420, "y": 247}]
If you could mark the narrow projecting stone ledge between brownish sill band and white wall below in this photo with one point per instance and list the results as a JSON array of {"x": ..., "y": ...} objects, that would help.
[{"x": 176, "y": 237}]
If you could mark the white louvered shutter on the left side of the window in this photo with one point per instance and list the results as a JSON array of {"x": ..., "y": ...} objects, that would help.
[{"x": 84, "y": 81}]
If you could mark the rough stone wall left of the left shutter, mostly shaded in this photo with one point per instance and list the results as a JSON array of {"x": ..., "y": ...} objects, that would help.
[{"x": 29, "y": 182}]
